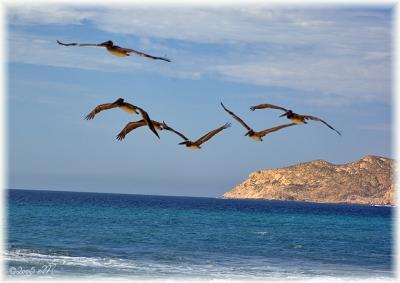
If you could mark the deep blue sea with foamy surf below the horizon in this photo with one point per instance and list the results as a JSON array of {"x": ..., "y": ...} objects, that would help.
[{"x": 59, "y": 234}]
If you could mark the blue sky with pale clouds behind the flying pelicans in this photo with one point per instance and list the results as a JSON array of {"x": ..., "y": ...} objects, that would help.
[{"x": 332, "y": 62}]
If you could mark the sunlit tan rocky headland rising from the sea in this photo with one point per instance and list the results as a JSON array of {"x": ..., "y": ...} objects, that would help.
[{"x": 369, "y": 180}]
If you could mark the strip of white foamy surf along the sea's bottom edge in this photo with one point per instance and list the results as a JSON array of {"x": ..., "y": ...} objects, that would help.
[{"x": 106, "y": 266}]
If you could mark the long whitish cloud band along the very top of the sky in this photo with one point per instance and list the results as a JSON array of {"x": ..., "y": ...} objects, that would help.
[{"x": 213, "y": 24}]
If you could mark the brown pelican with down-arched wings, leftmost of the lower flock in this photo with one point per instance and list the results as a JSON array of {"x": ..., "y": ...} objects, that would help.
[{"x": 127, "y": 107}]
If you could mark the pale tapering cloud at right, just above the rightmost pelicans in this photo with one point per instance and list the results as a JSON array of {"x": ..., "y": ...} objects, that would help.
[{"x": 342, "y": 77}]
